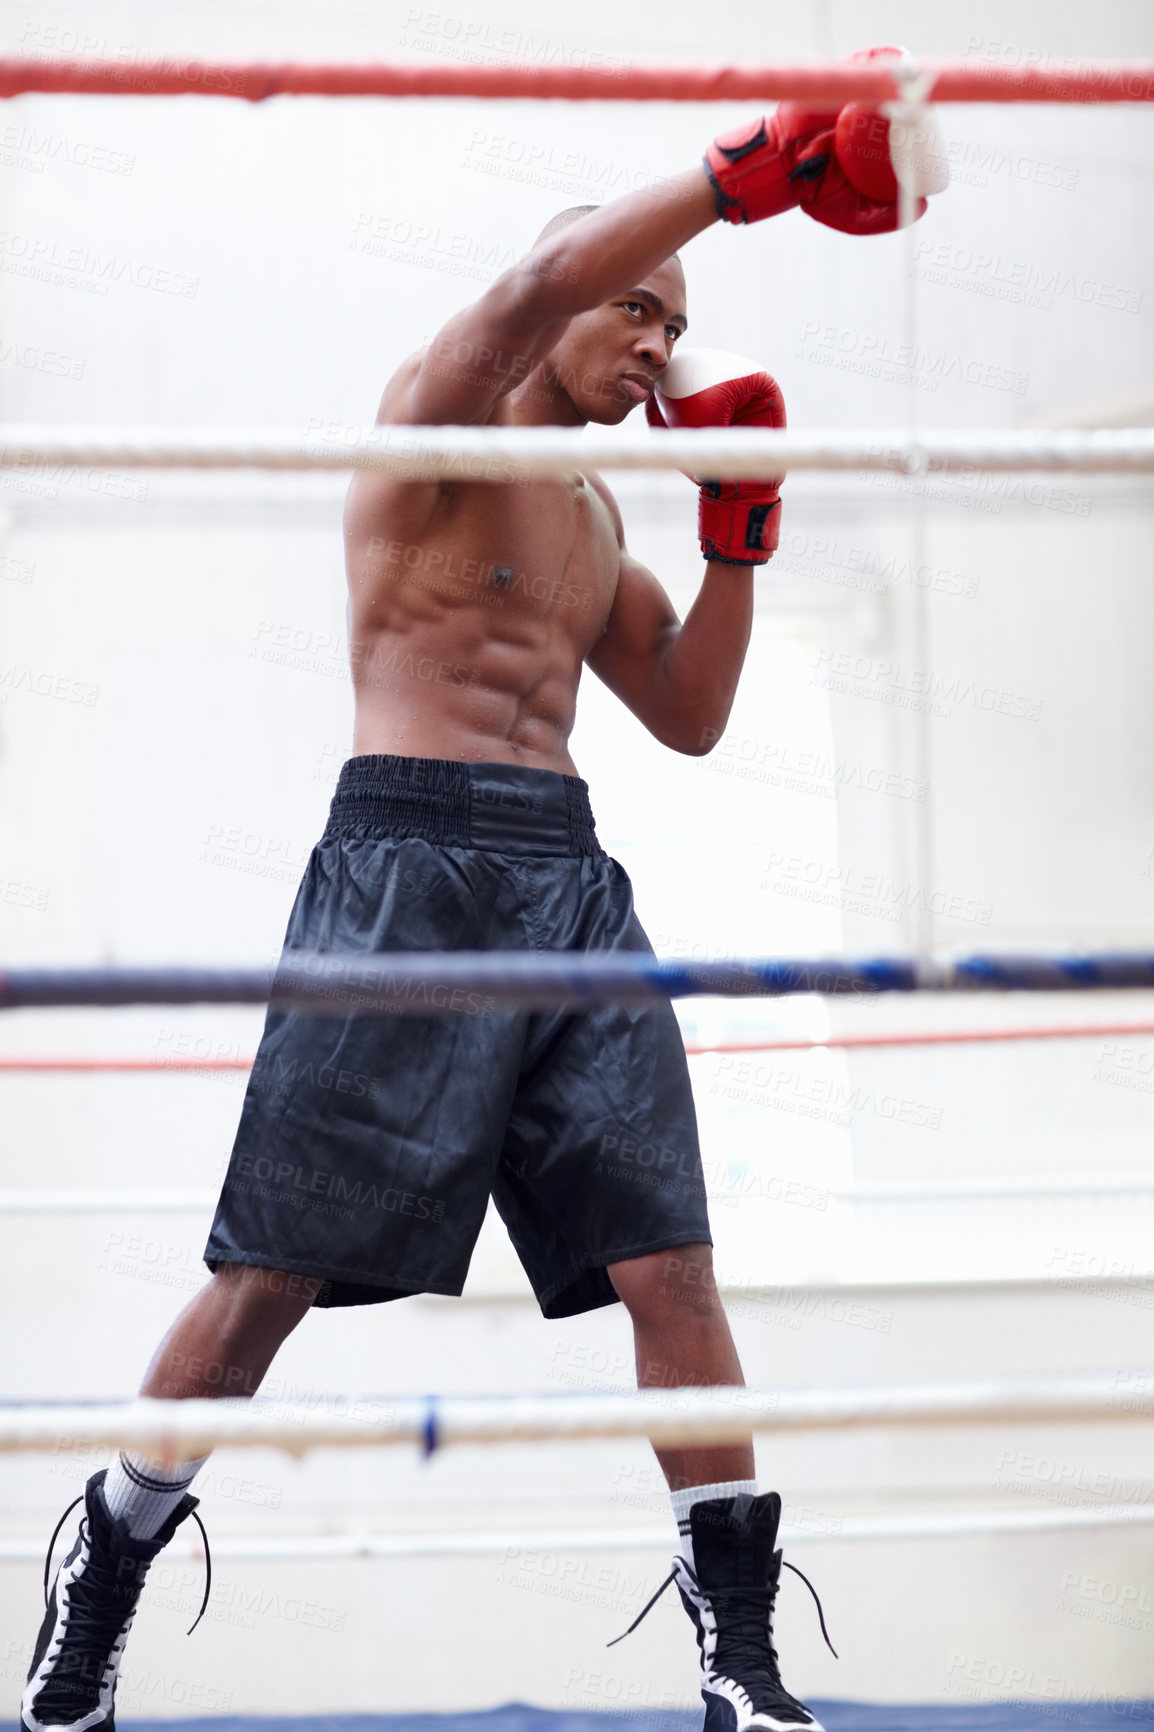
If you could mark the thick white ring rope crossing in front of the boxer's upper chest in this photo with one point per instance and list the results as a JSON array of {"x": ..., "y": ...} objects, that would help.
[{"x": 509, "y": 455}]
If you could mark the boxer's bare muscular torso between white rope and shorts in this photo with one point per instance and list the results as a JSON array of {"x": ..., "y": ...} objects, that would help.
[{"x": 472, "y": 611}]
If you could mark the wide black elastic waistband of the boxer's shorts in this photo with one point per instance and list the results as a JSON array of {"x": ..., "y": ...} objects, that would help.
[{"x": 502, "y": 808}]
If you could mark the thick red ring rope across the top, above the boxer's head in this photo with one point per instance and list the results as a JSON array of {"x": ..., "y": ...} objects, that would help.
[{"x": 826, "y": 82}]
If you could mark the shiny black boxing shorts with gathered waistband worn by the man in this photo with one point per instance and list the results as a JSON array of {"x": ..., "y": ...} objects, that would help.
[{"x": 370, "y": 1144}]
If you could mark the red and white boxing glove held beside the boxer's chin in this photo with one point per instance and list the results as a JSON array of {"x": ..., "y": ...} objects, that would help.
[{"x": 737, "y": 522}]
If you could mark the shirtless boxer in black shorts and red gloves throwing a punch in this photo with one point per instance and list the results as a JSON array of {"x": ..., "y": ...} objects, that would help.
[{"x": 370, "y": 1146}]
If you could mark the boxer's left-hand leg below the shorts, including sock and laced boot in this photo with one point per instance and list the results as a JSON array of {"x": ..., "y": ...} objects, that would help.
[{"x": 223, "y": 1345}]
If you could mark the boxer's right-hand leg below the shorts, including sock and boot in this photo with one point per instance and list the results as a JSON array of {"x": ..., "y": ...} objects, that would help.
[{"x": 729, "y": 1568}]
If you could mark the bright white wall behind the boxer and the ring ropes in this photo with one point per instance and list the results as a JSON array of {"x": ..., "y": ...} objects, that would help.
[{"x": 164, "y": 805}]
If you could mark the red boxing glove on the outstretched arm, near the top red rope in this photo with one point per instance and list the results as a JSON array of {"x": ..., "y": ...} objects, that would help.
[{"x": 836, "y": 165}]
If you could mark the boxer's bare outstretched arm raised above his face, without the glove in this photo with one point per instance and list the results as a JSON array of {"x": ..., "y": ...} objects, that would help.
[{"x": 493, "y": 346}]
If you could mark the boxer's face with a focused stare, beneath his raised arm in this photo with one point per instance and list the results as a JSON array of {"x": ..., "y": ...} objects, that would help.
[{"x": 609, "y": 359}]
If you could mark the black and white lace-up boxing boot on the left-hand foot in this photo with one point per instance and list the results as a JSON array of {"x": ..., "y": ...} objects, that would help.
[{"x": 89, "y": 1613}]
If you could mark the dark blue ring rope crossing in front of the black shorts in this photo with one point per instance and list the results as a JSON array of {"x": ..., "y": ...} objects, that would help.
[{"x": 470, "y": 983}]
